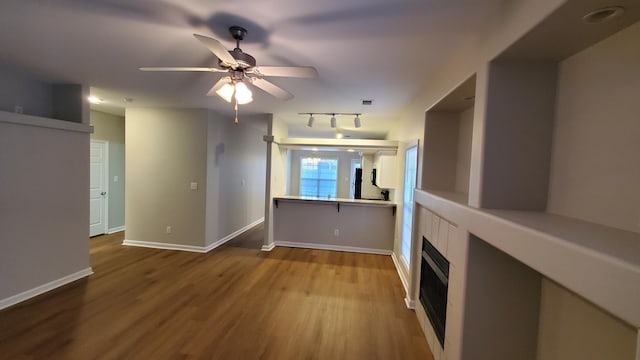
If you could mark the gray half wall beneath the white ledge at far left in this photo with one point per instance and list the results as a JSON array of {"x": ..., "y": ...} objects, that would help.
[{"x": 44, "y": 206}]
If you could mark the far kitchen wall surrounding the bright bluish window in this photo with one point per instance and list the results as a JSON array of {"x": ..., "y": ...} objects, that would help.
[{"x": 344, "y": 169}]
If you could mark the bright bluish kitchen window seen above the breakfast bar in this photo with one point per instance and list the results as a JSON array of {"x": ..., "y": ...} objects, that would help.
[{"x": 318, "y": 177}]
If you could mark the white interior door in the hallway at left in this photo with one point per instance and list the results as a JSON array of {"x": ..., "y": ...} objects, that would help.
[{"x": 98, "y": 168}]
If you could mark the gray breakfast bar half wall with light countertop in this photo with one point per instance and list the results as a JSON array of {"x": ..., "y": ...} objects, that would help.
[{"x": 354, "y": 225}]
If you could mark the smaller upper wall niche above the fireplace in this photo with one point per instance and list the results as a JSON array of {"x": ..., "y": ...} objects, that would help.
[{"x": 447, "y": 144}]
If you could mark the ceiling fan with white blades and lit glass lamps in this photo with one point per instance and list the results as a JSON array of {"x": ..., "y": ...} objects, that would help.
[{"x": 242, "y": 67}]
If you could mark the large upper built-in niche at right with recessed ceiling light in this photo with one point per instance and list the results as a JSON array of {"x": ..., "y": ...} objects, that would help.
[{"x": 560, "y": 123}]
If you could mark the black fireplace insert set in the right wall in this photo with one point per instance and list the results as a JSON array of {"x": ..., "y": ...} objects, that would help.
[{"x": 434, "y": 283}]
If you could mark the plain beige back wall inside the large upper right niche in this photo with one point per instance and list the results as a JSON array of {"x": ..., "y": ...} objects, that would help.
[{"x": 597, "y": 134}]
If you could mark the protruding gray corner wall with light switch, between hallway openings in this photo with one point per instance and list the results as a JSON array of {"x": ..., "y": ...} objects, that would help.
[{"x": 167, "y": 150}]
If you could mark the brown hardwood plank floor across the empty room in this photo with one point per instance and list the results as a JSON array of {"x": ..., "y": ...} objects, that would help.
[{"x": 235, "y": 302}]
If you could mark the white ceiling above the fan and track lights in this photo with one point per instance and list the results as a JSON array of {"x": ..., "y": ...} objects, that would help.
[{"x": 363, "y": 49}]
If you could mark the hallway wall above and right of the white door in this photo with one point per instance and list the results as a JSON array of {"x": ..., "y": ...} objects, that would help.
[{"x": 110, "y": 128}]
